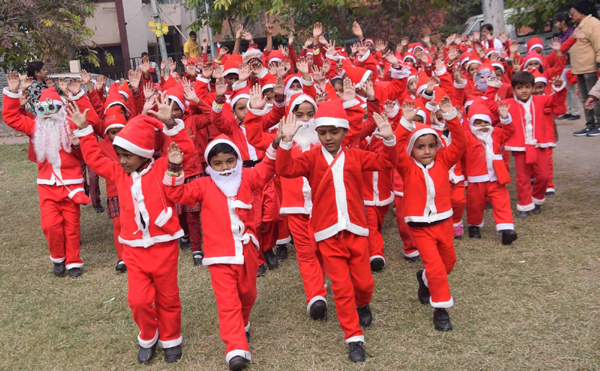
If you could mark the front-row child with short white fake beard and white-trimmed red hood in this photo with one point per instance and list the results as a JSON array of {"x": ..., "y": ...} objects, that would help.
[{"x": 230, "y": 241}]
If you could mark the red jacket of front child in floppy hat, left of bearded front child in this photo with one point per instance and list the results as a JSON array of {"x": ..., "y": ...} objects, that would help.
[{"x": 148, "y": 217}]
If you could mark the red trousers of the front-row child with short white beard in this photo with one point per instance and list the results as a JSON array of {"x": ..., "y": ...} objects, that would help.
[{"x": 235, "y": 292}]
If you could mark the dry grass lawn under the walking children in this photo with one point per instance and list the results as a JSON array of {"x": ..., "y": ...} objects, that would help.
[{"x": 532, "y": 305}]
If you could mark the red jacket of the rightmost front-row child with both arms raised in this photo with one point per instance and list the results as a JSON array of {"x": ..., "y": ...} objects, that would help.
[{"x": 427, "y": 188}]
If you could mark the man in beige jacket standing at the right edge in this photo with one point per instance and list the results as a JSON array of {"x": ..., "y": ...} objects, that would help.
[{"x": 585, "y": 61}]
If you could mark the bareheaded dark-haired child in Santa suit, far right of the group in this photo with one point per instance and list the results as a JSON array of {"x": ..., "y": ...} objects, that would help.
[{"x": 531, "y": 159}]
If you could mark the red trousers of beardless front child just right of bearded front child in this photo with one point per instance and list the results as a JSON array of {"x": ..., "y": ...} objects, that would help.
[{"x": 346, "y": 259}]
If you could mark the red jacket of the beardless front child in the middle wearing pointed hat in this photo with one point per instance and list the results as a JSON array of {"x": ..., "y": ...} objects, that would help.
[{"x": 336, "y": 184}]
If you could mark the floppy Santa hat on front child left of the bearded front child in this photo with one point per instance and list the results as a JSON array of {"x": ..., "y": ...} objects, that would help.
[{"x": 138, "y": 137}]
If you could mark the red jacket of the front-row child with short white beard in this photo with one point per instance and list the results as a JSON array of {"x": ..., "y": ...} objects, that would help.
[{"x": 227, "y": 222}]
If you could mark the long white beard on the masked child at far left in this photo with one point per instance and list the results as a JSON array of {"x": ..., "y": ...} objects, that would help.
[{"x": 52, "y": 133}]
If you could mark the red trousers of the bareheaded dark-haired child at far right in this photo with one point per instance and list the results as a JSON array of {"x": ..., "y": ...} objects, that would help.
[{"x": 540, "y": 170}]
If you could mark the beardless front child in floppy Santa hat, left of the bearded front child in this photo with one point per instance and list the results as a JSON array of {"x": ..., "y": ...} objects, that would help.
[{"x": 149, "y": 225}]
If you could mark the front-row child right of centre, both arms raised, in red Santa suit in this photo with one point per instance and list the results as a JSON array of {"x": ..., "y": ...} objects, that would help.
[{"x": 424, "y": 164}]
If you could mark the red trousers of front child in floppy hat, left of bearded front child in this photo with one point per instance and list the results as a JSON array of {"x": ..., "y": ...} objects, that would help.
[{"x": 153, "y": 293}]
